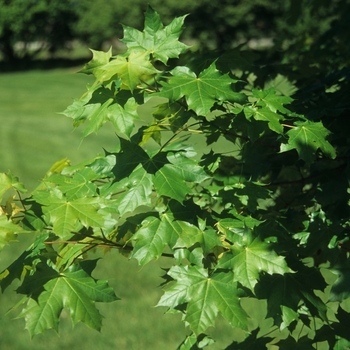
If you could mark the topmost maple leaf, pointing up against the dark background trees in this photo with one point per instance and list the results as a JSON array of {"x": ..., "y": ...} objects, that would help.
[{"x": 162, "y": 42}]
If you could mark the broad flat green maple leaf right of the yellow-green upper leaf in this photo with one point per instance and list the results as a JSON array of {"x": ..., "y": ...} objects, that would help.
[{"x": 200, "y": 92}]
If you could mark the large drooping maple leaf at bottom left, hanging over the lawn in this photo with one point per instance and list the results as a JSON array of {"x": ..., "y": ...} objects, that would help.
[{"x": 76, "y": 291}]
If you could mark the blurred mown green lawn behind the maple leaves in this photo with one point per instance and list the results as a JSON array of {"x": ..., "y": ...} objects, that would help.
[{"x": 32, "y": 137}]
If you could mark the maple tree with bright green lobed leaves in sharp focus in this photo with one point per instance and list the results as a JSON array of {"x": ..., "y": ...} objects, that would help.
[{"x": 259, "y": 214}]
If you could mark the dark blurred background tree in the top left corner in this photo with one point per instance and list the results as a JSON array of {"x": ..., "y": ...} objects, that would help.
[{"x": 47, "y": 24}]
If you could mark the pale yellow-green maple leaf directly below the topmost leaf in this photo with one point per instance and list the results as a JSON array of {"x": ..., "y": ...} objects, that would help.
[{"x": 132, "y": 70}]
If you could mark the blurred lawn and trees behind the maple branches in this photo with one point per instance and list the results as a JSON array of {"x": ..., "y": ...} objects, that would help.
[{"x": 43, "y": 43}]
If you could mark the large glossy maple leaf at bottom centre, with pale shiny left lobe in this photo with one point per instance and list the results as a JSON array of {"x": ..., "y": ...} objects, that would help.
[{"x": 206, "y": 296}]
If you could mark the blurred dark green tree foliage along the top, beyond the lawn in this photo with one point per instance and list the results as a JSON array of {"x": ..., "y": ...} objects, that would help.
[{"x": 292, "y": 25}]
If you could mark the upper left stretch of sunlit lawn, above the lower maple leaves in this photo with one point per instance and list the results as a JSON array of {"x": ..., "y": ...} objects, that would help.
[{"x": 32, "y": 134}]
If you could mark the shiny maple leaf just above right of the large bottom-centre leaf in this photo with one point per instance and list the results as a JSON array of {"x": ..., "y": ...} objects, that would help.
[{"x": 249, "y": 260}]
